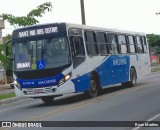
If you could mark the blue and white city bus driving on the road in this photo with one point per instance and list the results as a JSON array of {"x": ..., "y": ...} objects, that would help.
[{"x": 57, "y": 59}]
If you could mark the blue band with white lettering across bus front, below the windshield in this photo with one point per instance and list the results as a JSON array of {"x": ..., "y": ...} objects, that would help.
[{"x": 36, "y": 83}]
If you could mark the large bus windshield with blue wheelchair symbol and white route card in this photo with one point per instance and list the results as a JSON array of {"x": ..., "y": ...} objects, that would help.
[{"x": 41, "y": 54}]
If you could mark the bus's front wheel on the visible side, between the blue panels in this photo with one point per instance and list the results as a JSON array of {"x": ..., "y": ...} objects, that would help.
[{"x": 93, "y": 89}]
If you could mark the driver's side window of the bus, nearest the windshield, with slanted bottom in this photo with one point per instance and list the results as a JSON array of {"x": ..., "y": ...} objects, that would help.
[{"x": 77, "y": 50}]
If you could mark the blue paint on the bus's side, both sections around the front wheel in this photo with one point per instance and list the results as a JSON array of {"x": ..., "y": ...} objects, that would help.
[{"x": 113, "y": 70}]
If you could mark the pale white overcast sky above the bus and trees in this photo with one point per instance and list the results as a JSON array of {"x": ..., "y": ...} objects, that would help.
[{"x": 131, "y": 15}]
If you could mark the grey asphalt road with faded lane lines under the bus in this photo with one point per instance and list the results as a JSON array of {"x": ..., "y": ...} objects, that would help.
[{"x": 140, "y": 103}]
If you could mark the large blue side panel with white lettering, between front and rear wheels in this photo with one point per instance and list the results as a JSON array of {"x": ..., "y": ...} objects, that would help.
[{"x": 114, "y": 70}]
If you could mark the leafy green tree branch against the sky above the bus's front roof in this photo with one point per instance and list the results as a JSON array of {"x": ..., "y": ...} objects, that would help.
[{"x": 30, "y": 18}]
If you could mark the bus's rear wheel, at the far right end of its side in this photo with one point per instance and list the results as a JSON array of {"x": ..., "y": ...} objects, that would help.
[{"x": 133, "y": 79}]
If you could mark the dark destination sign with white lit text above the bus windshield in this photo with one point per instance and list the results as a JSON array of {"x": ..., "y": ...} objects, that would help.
[{"x": 39, "y": 31}]
